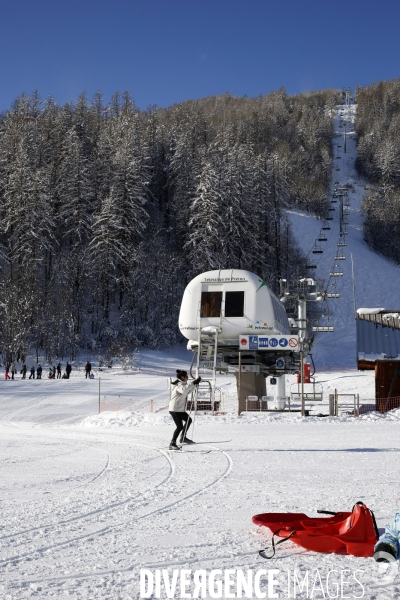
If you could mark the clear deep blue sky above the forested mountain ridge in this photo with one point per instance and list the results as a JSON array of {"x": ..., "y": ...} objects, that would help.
[{"x": 168, "y": 51}]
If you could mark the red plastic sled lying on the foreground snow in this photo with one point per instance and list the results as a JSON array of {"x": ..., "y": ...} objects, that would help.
[{"x": 353, "y": 532}]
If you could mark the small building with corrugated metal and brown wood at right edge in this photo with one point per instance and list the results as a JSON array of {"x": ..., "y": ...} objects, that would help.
[{"x": 378, "y": 349}]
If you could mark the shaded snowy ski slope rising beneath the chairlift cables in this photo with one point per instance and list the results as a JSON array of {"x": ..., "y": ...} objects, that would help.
[{"x": 377, "y": 280}]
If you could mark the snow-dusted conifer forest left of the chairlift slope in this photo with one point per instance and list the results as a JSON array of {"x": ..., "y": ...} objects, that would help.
[{"x": 107, "y": 211}]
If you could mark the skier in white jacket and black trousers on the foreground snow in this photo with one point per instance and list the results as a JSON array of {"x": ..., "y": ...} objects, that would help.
[{"x": 180, "y": 390}]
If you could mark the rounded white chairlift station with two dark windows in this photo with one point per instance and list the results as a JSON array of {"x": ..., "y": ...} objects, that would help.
[{"x": 235, "y": 323}]
